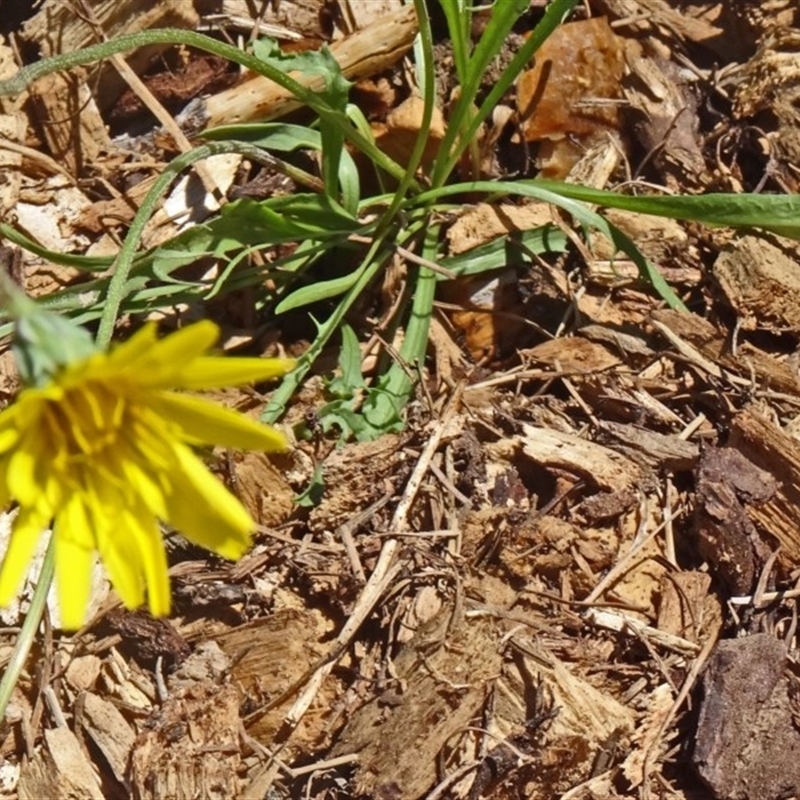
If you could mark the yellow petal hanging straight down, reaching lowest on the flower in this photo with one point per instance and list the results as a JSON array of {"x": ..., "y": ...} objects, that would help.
[{"x": 75, "y": 557}]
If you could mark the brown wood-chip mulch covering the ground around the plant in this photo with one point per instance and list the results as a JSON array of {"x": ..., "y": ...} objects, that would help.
[{"x": 574, "y": 573}]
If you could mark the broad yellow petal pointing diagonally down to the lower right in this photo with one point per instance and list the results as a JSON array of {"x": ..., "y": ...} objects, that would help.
[{"x": 204, "y": 511}]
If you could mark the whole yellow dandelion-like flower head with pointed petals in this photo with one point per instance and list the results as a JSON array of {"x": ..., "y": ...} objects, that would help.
[{"x": 104, "y": 451}]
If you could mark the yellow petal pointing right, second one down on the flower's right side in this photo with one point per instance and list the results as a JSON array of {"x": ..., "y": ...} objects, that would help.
[{"x": 207, "y": 423}]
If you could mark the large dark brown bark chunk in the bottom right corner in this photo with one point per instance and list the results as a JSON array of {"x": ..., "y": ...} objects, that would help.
[{"x": 746, "y": 746}]
